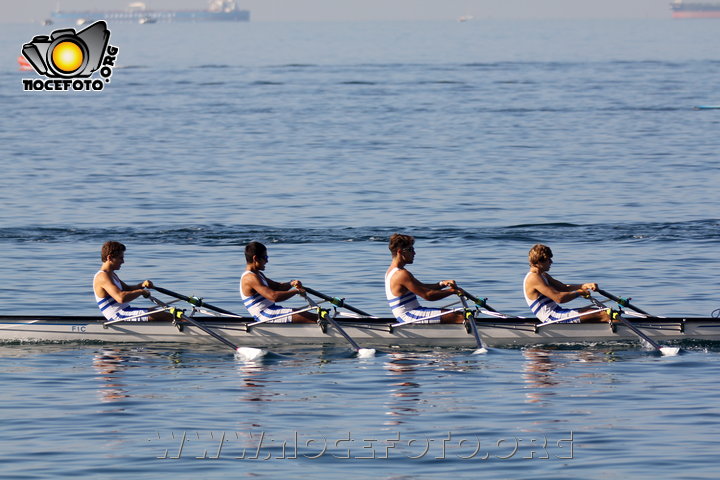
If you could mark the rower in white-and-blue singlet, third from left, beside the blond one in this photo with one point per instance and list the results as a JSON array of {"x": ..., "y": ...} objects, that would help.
[{"x": 402, "y": 288}]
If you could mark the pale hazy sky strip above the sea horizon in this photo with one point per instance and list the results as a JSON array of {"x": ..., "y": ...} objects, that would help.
[{"x": 328, "y": 10}]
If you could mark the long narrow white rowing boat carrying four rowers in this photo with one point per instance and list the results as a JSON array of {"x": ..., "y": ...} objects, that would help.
[{"x": 372, "y": 332}]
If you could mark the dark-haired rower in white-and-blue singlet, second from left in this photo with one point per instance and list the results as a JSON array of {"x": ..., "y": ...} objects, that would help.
[{"x": 260, "y": 293}]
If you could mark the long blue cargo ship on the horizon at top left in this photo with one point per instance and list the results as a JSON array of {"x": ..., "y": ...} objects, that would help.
[{"x": 218, "y": 11}]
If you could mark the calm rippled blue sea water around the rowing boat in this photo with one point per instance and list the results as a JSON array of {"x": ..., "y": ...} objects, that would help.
[{"x": 321, "y": 140}]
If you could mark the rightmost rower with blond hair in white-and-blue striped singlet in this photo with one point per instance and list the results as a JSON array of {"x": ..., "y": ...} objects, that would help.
[{"x": 543, "y": 293}]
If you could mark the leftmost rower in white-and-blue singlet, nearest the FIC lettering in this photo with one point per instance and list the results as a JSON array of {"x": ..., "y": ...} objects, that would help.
[{"x": 113, "y": 296}]
